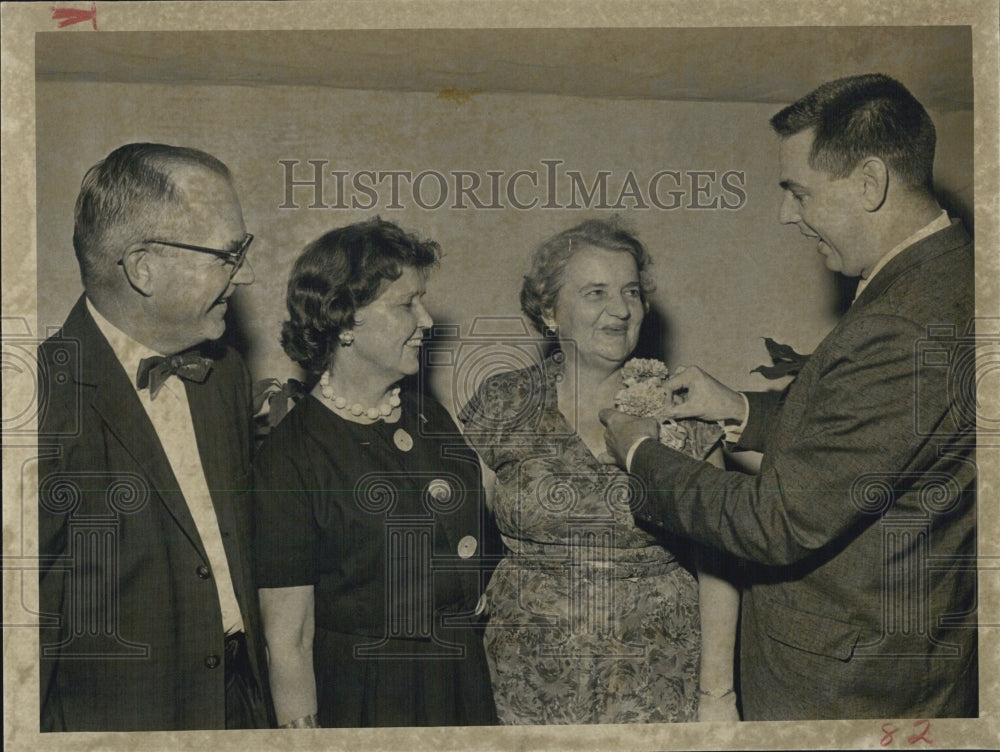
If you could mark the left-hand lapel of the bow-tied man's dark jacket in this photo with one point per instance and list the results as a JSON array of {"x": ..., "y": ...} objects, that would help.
[{"x": 114, "y": 399}]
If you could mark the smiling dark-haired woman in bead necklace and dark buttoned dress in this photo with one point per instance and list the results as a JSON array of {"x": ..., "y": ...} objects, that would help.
[{"x": 370, "y": 523}]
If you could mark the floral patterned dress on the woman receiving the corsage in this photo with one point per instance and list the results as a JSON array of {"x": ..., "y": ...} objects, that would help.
[{"x": 590, "y": 619}]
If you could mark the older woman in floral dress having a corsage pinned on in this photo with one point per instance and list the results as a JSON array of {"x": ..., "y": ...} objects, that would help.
[{"x": 592, "y": 619}]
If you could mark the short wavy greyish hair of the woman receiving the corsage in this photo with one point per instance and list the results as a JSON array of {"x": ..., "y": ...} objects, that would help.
[{"x": 544, "y": 280}]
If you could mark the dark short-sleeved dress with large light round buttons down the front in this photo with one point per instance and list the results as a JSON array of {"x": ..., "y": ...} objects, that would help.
[{"x": 392, "y": 539}]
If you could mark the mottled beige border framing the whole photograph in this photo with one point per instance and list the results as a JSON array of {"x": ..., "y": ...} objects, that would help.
[{"x": 20, "y": 22}]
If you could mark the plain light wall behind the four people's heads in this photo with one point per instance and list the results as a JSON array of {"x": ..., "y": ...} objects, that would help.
[{"x": 725, "y": 278}]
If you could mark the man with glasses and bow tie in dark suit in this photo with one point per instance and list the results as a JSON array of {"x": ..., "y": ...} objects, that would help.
[{"x": 149, "y": 616}]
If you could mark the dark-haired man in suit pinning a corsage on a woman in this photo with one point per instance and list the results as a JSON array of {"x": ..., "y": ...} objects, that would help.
[{"x": 860, "y": 525}]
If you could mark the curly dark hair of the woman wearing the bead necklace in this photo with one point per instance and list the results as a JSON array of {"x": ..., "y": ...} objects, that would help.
[{"x": 338, "y": 273}]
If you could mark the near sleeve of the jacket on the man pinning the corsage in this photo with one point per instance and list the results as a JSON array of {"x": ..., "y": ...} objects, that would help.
[{"x": 855, "y": 420}]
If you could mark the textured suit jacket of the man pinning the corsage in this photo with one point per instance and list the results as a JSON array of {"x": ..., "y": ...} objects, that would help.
[{"x": 861, "y": 521}]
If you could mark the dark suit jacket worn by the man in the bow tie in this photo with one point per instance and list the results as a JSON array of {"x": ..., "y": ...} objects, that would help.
[{"x": 132, "y": 634}]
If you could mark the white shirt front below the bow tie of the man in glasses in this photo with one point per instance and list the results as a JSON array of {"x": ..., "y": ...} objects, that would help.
[{"x": 170, "y": 415}]
